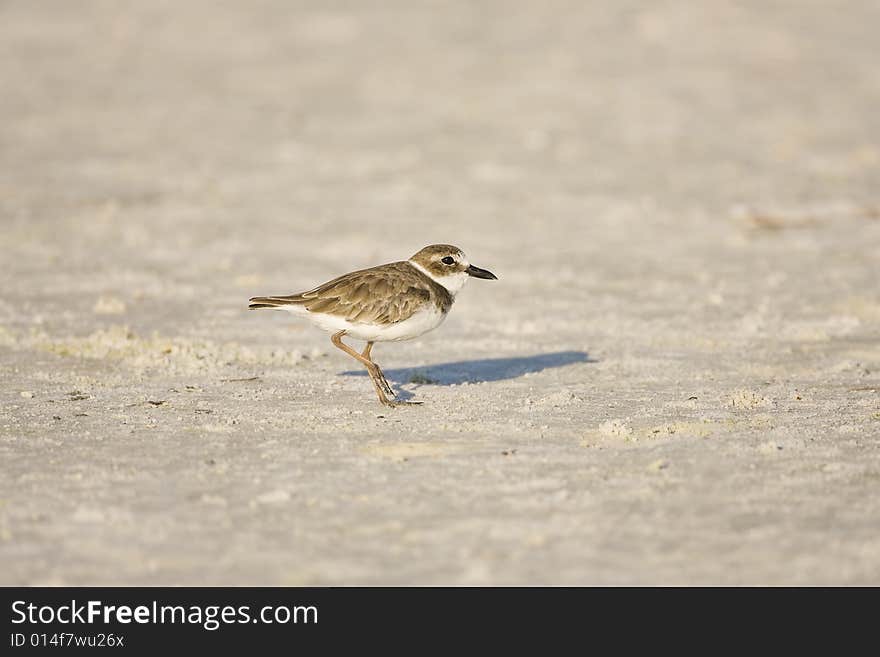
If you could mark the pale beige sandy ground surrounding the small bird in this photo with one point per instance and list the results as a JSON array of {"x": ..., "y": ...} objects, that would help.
[{"x": 675, "y": 380}]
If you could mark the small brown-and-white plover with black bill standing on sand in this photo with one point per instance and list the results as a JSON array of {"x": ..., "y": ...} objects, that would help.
[{"x": 388, "y": 303}]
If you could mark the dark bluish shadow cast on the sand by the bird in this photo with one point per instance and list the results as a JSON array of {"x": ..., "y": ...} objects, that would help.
[{"x": 476, "y": 371}]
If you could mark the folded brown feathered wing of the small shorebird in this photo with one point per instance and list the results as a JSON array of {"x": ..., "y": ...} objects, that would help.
[{"x": 384, "y": 294}]
